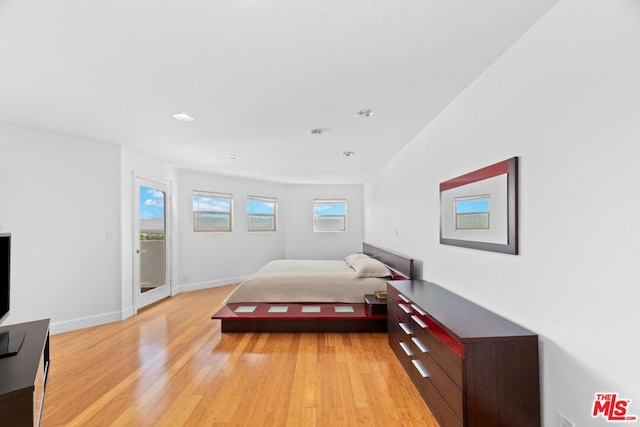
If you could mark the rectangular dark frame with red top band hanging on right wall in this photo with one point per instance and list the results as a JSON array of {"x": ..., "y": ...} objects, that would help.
[{"x": 479, "y": 210}]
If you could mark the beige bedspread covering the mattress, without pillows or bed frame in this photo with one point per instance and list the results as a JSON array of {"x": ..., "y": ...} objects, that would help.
[{"x": 306, "y": 281}]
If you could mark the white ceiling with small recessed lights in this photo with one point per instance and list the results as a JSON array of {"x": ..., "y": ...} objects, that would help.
[{"x": 256, "y": 75}]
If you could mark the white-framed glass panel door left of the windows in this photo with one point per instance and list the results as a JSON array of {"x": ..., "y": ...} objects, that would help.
[{"x": 151, "y": 252}]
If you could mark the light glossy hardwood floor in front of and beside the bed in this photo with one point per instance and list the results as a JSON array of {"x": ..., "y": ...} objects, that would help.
[{"x": 170, "y": 365}]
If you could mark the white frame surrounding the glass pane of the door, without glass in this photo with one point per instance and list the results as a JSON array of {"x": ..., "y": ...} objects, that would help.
[{"x": 141, "y": 300}]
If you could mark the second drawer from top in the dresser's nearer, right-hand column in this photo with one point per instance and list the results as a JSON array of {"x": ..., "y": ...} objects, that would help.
[{"x": 440, "y": 352}]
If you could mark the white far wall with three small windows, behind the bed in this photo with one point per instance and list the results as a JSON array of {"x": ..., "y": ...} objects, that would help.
[{"x": 212, "y": 259}]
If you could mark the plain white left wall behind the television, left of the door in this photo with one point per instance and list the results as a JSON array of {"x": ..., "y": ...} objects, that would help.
[{"x": 59, "y": 195}]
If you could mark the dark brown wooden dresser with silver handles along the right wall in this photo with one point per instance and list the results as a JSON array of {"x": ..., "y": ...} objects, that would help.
[{"x": 471, "y": 366}]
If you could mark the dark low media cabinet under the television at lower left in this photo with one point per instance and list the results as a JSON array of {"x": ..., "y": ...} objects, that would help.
[{"x": 23, "y": 377}]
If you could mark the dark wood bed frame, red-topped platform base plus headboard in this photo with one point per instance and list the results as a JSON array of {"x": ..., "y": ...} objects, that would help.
[{"x": 311, "y": 317}]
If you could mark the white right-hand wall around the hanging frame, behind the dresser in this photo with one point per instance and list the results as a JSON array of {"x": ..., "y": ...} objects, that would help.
[{"x": 564, "y": 99}]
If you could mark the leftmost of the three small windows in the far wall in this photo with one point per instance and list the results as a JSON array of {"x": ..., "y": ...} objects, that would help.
[{"x": 212, "y": 211}]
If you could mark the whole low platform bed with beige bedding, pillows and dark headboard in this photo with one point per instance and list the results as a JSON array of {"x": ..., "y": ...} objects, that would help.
[{"x": 314, "y": 295}]
